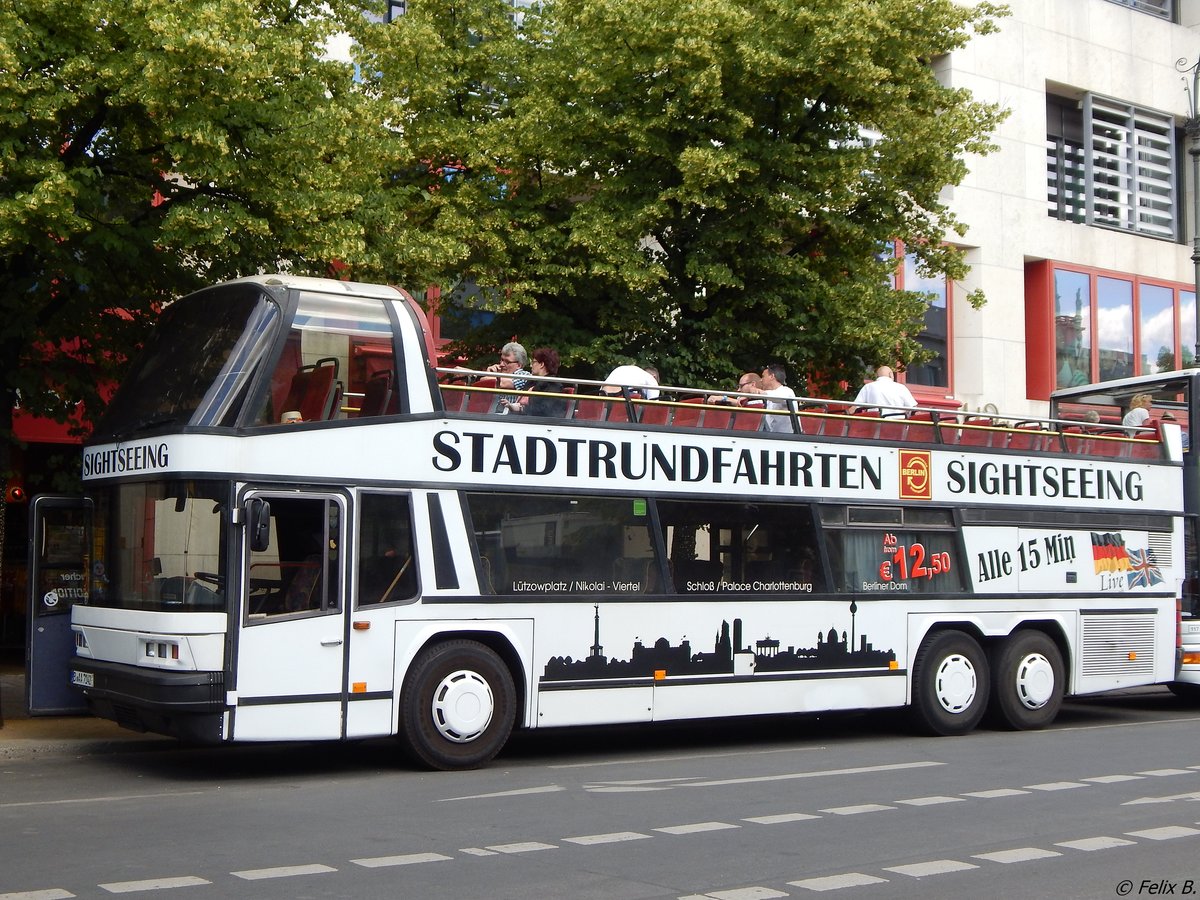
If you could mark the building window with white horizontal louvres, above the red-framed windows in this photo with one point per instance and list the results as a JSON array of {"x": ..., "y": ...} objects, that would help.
[{"x": 1111, "y": 165}]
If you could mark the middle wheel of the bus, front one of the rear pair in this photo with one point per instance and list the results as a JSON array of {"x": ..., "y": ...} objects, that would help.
[{"x": 950, "y": 685}]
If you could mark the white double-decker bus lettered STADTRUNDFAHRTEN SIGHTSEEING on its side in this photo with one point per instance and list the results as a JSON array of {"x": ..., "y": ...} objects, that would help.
[{"x": 305, "y": 530}]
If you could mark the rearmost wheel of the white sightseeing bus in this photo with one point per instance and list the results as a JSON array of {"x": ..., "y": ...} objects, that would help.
[{"x": 1029, "y": 680}]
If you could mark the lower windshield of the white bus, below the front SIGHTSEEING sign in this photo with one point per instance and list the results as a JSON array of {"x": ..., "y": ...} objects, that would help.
[{"x": 165, "y": 553}]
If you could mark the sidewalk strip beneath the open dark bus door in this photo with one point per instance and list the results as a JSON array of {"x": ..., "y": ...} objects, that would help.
[{"x": 23, "y": 736}]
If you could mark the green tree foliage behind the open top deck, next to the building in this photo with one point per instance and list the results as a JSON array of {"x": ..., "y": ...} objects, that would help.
[{"x": 706, "y": 184}]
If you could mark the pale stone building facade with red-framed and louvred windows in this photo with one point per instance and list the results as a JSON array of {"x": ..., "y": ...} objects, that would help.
[{"x": 1081, "y": 226}]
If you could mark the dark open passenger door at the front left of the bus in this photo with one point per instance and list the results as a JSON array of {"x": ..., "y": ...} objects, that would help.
[{"x": 59, "y": 575}]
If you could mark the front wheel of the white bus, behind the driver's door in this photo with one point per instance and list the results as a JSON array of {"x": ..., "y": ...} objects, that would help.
[{"x": 458, "y": 706}]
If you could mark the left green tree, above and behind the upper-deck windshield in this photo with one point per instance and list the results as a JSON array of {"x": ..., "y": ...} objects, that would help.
[{"x": 148, "y": 147}]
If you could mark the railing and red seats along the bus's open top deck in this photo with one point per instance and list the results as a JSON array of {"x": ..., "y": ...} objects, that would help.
[{"x": 466, "y": 391}]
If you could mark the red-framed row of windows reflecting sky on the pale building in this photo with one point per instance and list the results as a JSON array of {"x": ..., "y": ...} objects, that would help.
[{"x": 1087, "y": 326}]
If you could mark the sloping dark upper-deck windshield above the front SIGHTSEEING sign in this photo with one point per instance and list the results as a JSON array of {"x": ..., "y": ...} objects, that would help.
[{"x": 196, "y": 364}]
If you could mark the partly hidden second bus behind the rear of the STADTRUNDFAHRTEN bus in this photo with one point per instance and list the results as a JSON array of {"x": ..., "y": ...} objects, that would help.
[{"x": 1099, "y": 410}]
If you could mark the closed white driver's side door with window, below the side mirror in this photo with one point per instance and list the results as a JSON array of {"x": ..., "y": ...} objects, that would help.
[{"x": 290, "y": 658}]
